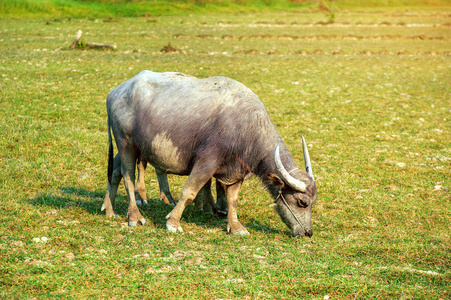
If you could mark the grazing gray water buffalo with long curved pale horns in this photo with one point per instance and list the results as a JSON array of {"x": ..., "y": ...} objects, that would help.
[{"x": 204, "y": 128}]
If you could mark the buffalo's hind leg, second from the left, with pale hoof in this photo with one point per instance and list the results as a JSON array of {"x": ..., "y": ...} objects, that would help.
[{"x": 128, "y": 172}]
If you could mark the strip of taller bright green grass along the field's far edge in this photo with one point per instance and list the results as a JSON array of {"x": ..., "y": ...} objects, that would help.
[{"x": 57, "y": 9}]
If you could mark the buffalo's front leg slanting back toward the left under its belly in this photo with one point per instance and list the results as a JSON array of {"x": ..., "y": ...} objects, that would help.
[{"x": 202, "y": 172}]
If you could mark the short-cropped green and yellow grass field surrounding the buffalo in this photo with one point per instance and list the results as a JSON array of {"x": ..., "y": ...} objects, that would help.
[{"x": 370, "y": 93}]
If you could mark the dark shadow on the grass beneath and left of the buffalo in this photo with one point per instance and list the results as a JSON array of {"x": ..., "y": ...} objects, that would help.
[{"x": 91, "y": 202}]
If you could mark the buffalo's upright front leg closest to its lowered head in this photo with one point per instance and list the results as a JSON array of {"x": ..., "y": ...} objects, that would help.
[{"x": 234, "y": 226}]
